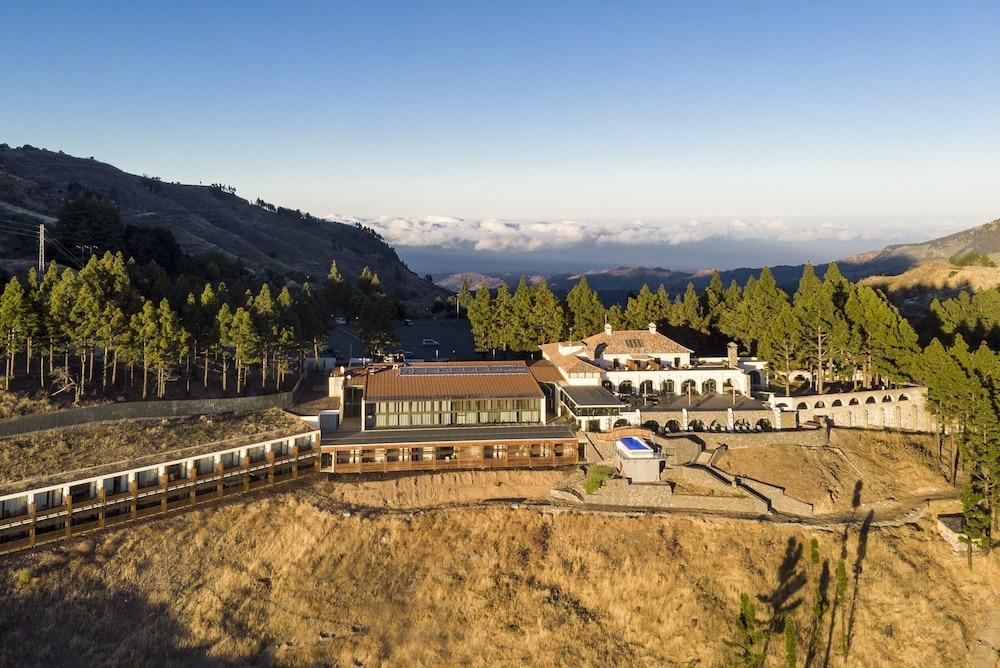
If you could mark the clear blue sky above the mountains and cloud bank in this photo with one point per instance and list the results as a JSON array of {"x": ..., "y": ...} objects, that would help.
[{"x": 539, "y": 110}]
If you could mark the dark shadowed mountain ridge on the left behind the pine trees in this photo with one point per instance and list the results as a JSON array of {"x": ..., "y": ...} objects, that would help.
[{"x": 35, "y": 183}]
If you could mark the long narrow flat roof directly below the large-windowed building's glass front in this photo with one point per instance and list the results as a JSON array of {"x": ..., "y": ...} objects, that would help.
[{"x": 493, "y": 433}]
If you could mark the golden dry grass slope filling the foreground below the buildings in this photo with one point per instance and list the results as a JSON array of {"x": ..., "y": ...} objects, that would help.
[{"x": 288, "y": 579}]
